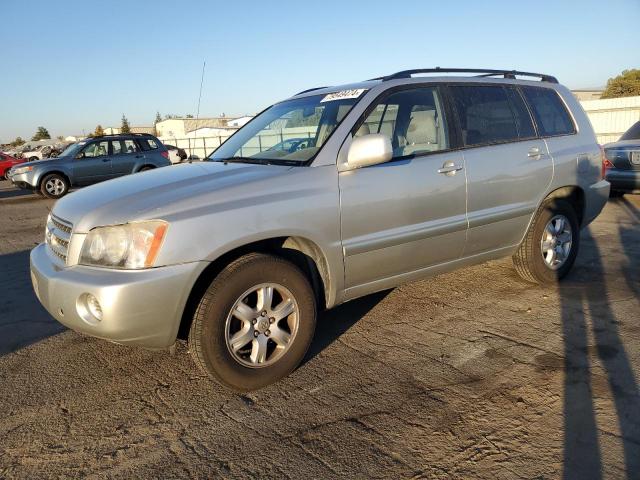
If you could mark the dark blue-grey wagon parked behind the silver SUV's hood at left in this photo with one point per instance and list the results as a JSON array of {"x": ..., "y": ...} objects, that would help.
[{"x": 91, "y": 161}]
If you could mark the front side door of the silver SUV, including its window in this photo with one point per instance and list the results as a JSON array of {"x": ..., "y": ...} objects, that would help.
[{"x": 401, "y": 217}]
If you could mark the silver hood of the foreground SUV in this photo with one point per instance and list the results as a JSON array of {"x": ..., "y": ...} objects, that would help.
[{"x": 162, "y": 193}]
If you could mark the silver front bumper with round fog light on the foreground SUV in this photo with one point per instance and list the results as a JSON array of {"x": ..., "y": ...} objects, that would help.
[{"x": 142, "y": 307}]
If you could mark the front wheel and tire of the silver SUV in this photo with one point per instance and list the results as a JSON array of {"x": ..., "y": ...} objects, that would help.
[{"x": 211, "y": 331}]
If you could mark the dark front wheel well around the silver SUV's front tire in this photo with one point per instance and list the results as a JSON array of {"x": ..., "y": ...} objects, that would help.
[{"x": 301, "y": 251}]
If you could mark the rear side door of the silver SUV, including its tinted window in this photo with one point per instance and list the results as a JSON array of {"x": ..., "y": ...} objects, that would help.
[{"x": 508, "y": 167}]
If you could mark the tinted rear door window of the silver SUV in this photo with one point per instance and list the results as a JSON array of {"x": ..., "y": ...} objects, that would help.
[{"x": 490, "y": 114}]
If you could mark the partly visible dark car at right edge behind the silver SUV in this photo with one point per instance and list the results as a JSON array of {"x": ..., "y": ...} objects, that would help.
[{"x": 622, "y": 162}]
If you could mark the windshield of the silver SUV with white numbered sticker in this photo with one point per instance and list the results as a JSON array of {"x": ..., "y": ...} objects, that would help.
[{"x": 288, "y": 133}]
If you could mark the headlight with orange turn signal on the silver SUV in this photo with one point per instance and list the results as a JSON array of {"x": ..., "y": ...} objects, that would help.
[{"x": 129, "y": 246}]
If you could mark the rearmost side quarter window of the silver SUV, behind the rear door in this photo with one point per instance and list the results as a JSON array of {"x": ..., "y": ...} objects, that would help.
[{"x": 549, "y": 111}]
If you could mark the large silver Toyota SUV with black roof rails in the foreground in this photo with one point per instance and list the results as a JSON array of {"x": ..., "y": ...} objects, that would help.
[{"x": 401, "y": 178}]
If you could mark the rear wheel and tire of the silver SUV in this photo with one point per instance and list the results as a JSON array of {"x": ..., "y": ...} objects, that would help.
[{"x": 529, "y": 261}]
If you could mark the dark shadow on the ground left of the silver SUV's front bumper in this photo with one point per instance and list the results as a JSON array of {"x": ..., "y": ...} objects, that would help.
[{"x": 23, "y": 320}]
